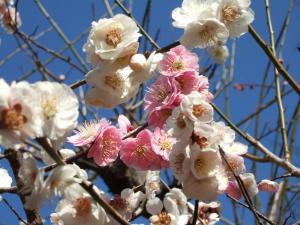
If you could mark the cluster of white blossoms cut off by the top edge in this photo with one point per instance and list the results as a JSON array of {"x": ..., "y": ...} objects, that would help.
[{"x": 209, "y": 23}]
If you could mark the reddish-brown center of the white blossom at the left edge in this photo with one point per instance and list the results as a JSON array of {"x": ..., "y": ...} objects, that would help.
[{"x": 12, "y": 118}]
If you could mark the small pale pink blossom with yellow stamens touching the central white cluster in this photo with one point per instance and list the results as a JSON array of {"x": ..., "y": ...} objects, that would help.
[{"x": 162, "y": 143}]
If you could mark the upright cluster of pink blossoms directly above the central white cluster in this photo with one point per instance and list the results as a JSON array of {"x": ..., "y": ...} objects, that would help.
[{"x": 179, "y": 71}]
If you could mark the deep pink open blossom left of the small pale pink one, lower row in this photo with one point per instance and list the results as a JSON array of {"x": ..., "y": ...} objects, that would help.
[{"x": 138, "y": 153}]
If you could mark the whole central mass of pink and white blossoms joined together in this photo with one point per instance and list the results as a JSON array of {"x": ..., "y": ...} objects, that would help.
[{"x": 182, "y": 135}]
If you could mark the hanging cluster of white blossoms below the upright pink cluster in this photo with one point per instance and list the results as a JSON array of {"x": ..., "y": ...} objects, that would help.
[{"x": 196, "y": 160}]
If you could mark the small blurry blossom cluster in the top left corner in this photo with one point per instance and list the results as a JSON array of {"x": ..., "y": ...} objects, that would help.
[{"x": 9, "y": 17}]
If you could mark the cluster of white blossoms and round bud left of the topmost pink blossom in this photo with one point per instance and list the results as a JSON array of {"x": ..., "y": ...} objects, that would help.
[{"x": 117, "y": 70}]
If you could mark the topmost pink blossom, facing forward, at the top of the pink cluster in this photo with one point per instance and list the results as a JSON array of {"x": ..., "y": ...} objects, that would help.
[{"x": 177, "y": 61}]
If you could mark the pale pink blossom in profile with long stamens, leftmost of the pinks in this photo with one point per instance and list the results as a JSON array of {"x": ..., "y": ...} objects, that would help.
[{"x": 87, "y": 132}]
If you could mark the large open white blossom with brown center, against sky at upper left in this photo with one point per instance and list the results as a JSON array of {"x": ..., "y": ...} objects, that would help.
[{"x": 111, "y": 39}]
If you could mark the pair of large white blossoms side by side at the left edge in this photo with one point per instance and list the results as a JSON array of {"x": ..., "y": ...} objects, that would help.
[{"x": 43, "y": 109}]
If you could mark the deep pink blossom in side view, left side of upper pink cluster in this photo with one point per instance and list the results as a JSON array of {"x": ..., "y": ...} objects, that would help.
[{"x": 162, "y": 93}]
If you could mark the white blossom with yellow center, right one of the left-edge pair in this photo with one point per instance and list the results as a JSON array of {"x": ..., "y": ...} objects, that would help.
[{"x": 59, "y": 108}]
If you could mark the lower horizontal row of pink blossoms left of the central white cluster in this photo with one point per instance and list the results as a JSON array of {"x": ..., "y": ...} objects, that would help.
[{"x": 147, "y": 151}]
